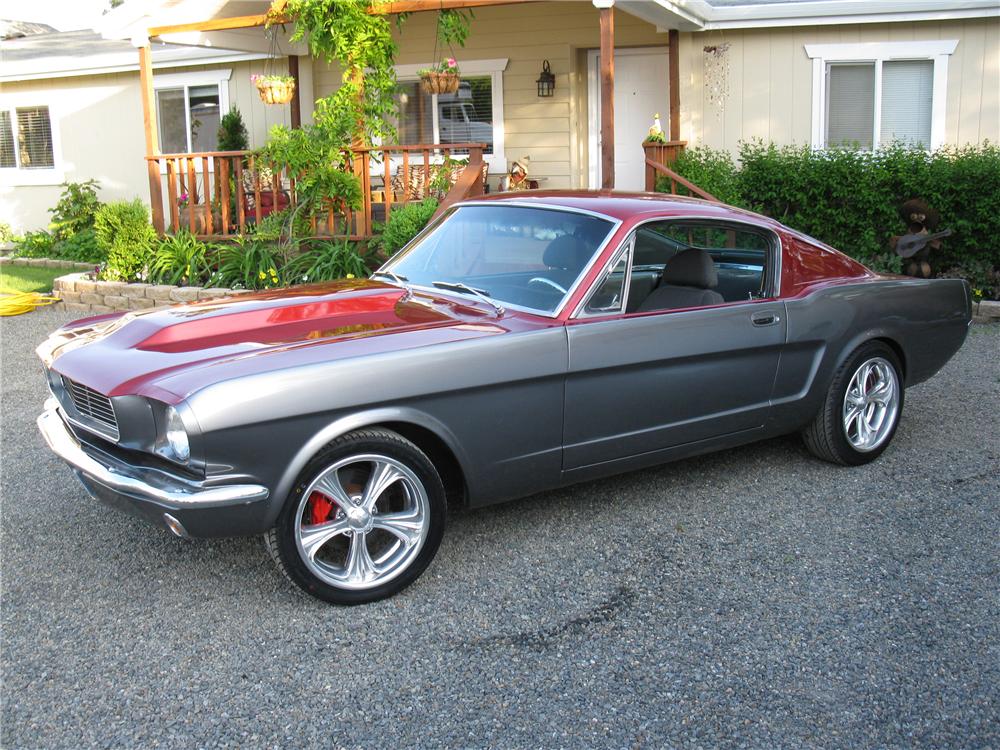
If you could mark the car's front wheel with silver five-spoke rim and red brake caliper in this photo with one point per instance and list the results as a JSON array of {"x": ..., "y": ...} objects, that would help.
[{"x": 364, "y": 520}]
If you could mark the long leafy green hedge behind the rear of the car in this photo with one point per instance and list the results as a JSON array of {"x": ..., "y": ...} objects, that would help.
[{"x": 850, "y": 198}]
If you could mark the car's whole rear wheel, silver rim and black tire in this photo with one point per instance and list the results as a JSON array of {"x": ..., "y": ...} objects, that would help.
[{"x": 862, "y": 408}]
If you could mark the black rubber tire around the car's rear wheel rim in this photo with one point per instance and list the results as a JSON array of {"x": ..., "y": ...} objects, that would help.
[{"x": 827, "y": 437}]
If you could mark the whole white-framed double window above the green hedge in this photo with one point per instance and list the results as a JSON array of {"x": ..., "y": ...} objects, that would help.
[{"x": 876, "y": 94}]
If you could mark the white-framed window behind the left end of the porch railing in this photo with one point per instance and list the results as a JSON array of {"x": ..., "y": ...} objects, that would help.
[{"x": 189, "y": 108}]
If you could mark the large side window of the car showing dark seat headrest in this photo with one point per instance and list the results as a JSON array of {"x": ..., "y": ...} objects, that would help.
[{"x": 698, "y": 264}]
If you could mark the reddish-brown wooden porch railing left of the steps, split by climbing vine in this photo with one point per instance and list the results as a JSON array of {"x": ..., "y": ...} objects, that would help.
[{"x": 220, "y": 194}]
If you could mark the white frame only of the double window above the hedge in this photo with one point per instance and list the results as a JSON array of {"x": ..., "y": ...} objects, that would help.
[{"x": 877, "y": 53}]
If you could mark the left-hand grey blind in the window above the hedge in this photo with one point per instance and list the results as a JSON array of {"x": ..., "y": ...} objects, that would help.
[{"x": 850, "y": 104}]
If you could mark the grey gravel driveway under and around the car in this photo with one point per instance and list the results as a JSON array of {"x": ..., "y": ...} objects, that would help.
[{"x": 752, "y": 598}]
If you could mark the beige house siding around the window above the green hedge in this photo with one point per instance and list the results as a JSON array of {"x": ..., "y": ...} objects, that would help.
[{"x": 770, "y": 80}]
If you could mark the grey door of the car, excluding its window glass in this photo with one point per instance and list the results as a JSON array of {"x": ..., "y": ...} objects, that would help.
[{"x": 643, "y": 382}]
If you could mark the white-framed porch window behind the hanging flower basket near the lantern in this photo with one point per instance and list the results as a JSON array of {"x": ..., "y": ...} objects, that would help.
[{"x": 473, "y": 114}]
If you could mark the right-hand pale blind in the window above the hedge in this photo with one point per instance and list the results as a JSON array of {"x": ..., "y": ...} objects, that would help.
[{"x": 907, "y": 91}]
